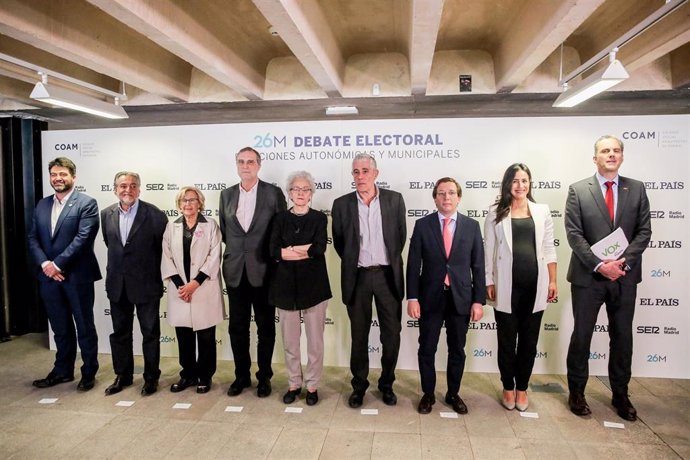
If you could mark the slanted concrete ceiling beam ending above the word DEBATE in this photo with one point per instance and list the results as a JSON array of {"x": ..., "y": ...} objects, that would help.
[{"x": 303, "y": 27}]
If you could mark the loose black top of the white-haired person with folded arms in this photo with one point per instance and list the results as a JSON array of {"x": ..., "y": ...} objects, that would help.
[{"x": 299, "y": 284}]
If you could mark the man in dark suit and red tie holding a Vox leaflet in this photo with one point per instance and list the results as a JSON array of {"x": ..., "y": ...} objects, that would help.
[{"x": 596, "y": 207}]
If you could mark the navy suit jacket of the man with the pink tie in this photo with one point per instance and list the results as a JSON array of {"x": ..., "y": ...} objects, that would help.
[{"x": 427, "y": 264}]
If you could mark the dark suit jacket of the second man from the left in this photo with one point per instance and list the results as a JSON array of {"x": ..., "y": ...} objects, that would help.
[{"x": 136, "y": 266}]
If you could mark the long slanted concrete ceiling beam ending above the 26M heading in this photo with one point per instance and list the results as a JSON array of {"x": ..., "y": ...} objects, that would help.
[{"x": 172, "y": 28}]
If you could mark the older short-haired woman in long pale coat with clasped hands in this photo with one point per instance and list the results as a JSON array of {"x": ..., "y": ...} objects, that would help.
[{"x": 191, "y": 268}]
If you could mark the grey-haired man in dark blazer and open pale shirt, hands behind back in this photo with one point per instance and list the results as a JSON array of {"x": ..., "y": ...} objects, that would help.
[{"x": 369, "y": 233}]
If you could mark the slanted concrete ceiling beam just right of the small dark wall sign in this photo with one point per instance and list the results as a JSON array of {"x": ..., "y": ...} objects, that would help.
[{"x": 534, "y": 35}]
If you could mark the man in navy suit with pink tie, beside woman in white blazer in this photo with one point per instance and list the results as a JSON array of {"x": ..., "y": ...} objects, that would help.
[{"x": 445, "y": 284}]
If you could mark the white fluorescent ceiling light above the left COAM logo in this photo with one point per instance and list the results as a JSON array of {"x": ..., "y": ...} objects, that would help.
[{"x": 62, "y": 97}]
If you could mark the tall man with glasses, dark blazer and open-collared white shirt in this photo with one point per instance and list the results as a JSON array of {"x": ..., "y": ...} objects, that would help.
[{"x": 246, "y": 211}]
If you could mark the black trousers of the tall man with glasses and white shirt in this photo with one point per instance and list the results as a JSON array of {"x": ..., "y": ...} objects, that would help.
[{"x": 242, "y": 298}]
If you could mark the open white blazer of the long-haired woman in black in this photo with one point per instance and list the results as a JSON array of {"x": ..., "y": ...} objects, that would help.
[{"x": 498, "y": 255}]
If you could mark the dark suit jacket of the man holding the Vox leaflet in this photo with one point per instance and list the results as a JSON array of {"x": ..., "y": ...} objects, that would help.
[{"x": 587, "y": 221}]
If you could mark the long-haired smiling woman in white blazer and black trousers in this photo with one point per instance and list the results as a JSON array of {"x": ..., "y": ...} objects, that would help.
[{"x": 520, "y": 260}]
